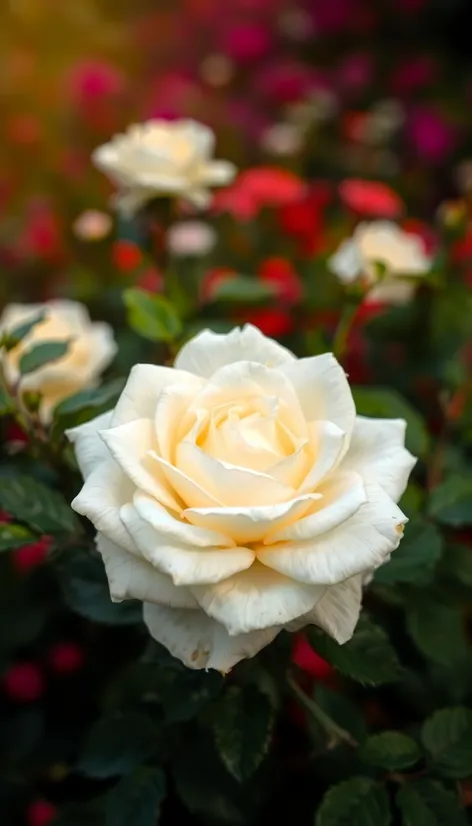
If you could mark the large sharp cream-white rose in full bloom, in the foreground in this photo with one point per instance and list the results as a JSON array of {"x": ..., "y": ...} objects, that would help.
[{"x": 238, "y": 494}]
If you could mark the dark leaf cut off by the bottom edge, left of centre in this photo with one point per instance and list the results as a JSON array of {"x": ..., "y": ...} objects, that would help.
[{"x": 136, "y": 799}]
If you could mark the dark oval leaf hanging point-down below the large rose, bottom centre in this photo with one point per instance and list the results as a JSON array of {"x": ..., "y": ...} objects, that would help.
[{"x": 242, "y": 730}]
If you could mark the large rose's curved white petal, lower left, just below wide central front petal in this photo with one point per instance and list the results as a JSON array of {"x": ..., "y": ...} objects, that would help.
[{"x": 186, "y": 565}]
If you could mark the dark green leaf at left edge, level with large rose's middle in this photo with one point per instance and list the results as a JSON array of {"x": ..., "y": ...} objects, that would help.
[{"x": 41, "y": 508}]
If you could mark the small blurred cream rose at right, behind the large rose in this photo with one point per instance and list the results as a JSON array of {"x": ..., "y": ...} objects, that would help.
[{"x": 382, "y": 241}]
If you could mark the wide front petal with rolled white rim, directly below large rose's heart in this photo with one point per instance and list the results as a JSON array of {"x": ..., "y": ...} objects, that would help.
[{"x": 250, "y": 524}]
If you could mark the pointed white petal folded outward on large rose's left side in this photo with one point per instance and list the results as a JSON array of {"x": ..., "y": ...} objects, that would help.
[{"x": 130, "y": 445}]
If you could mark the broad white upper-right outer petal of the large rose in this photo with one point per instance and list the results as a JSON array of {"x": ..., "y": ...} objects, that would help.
[{"x": 323, "y": 390}]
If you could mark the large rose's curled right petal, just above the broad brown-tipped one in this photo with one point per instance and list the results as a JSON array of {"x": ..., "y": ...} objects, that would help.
[{"x": 342, "y": 494}]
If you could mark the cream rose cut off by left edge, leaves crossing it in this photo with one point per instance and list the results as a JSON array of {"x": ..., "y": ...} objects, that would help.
[{"x": 92, "y": 347}]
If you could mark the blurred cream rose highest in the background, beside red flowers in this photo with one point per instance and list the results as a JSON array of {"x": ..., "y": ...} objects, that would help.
[{"x": 161, "y": 158}]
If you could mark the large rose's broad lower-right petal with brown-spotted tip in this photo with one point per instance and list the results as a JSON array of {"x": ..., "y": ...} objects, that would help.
[{"x": 360, "y": 543}]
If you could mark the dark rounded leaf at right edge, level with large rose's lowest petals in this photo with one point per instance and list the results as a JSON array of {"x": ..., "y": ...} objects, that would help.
[{"x": 437, "y": 630}]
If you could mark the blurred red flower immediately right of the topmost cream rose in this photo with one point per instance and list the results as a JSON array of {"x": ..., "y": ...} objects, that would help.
[{"x": 259, "y": 187}]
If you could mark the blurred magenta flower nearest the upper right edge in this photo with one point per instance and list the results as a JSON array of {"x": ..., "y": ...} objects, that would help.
[{"x": 431, "y": 135}]
